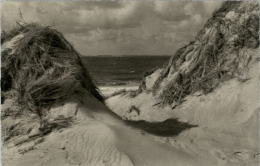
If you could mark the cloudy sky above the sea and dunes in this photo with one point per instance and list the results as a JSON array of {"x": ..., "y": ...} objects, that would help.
[{"x": 126, "y": 27}]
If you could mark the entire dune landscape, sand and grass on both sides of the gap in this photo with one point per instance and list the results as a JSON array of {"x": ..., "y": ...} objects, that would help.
[{"x": 53, "y": 114}]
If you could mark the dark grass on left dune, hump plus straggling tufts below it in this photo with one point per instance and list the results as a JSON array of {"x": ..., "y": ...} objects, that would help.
[{"x": 39, "y": 69}]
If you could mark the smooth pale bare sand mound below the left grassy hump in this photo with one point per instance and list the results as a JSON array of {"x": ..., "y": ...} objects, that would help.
[{"x": 97, "y": 138}]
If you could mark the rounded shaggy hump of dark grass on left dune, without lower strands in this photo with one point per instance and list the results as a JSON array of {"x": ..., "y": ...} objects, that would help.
[{"x": 44, "y": 68}]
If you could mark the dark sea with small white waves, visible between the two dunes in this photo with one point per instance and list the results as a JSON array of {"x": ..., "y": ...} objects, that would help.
[{"x": 121, "y": 70}]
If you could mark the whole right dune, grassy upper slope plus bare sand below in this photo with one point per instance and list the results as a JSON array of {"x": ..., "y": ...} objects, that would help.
[{"x": 213, "y": 83}]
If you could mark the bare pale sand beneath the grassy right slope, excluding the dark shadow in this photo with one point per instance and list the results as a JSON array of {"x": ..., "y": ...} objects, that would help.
[{"x": 226, "y": 119}]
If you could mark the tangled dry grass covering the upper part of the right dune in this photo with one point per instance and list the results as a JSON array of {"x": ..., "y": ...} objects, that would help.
[{"x": 215, "y": 55}]
